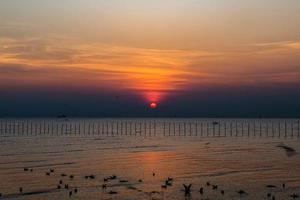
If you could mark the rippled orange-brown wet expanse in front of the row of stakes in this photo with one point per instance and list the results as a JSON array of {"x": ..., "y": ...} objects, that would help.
[{"x": 129, "y": 167}]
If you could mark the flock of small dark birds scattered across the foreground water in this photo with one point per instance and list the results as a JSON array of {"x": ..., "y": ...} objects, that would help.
[{"x": 62, "y": 184}]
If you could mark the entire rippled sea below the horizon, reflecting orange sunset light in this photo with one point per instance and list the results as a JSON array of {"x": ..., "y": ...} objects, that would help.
[{"x": 234, "y": 154}]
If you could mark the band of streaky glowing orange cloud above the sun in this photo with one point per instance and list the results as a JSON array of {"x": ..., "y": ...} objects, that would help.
[{"x": 65, "y": 60}]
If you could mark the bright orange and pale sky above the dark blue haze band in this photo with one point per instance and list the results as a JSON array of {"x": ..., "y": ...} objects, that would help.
[{"x": 153, "y": 48}]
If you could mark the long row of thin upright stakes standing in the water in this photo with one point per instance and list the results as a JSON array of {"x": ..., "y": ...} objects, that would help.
[{"x": 204, "y": 128}]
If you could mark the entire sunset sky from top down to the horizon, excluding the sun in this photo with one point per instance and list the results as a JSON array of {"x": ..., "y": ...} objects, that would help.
[{"x": 194, "y": 58}]
